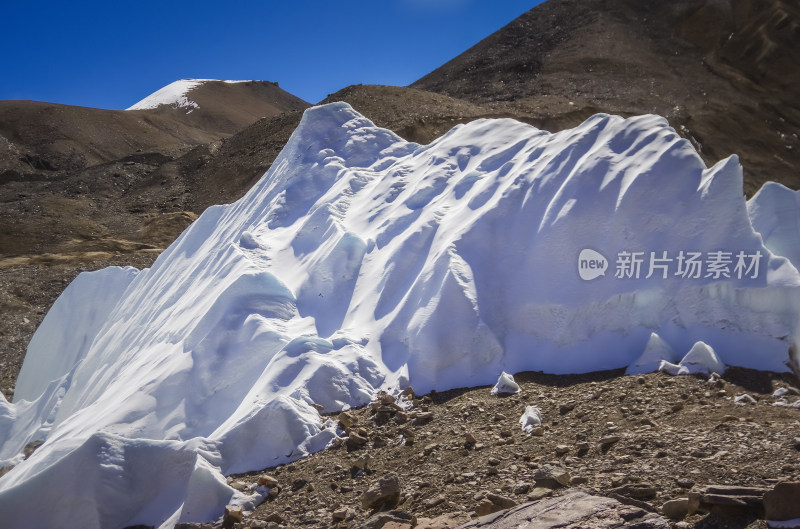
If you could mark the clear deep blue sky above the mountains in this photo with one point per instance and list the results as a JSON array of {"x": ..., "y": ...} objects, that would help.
[{"x": 111, "y": 54}]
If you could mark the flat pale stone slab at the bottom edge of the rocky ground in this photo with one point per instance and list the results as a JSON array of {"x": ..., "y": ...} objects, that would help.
[{"x": 572, "y": 510}]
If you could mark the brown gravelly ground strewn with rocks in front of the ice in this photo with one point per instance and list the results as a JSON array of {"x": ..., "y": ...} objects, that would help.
[{"x": 644, "y": 441}]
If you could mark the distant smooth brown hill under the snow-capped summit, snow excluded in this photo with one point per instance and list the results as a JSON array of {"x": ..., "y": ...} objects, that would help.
[{"x": 50, "y": 137}]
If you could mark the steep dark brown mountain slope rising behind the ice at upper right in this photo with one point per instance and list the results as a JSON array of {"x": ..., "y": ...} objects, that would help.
[{"x": 724, "y": 72}]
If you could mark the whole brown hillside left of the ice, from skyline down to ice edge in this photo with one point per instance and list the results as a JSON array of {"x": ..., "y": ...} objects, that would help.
[{"x": 84, "y": 188}]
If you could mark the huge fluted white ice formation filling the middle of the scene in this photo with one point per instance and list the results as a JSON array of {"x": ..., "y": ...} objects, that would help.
[{"x": 362, "y": 262}]
